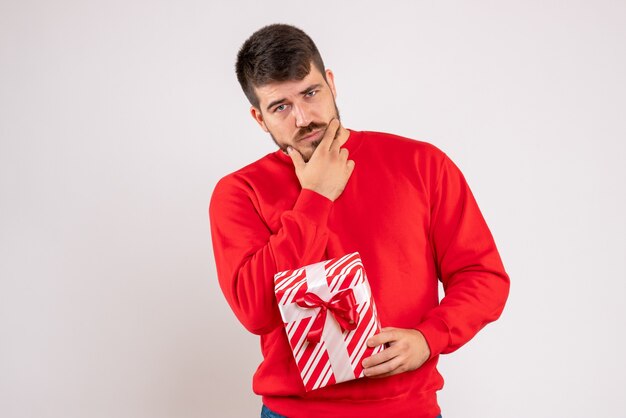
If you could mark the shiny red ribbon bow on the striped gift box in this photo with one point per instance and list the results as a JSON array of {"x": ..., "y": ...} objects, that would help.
[{"x": 342, "y": 305}]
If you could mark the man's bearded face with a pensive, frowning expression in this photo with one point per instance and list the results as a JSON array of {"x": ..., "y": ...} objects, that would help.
[{"x": 297, "y": 113}]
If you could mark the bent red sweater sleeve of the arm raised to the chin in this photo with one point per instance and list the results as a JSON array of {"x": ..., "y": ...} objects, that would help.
[{"x": 248, "y": 254}]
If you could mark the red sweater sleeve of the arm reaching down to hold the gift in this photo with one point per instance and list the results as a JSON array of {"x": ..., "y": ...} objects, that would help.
[{"x": 469, "y": 266}]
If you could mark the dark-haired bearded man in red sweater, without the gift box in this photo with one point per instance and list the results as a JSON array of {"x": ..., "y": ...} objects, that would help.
[{"x": 327, "y": 192}]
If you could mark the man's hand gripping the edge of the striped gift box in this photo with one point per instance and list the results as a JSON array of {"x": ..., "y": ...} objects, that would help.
[{"x": 407, "y": 351}]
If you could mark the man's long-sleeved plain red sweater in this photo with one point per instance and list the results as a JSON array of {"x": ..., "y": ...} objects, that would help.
[{"x": 410, "y": 214}]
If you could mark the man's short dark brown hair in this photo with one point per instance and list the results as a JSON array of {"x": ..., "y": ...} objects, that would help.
[{"x": 275, "y": 53}]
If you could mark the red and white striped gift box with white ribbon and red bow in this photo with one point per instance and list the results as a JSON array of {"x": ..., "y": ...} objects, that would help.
[{"x": 329, "y": 314}]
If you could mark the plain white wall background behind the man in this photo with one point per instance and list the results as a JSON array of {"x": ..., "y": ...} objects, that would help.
[{"x": 118, "y": 117}]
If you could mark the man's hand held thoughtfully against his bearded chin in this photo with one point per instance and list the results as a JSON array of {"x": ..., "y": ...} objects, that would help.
[{"x": 328, "y": 169}]
